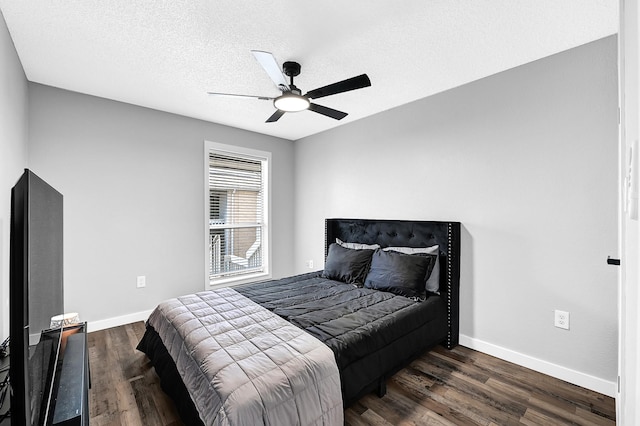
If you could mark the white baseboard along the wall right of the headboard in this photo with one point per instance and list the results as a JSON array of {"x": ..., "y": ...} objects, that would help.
[{"x": 577, "y": 378}]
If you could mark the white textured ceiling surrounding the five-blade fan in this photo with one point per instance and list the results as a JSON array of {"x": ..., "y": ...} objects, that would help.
[{"x": 166, "y": 54}]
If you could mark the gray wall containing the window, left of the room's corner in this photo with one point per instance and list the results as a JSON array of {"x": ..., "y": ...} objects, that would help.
[{"x": 133, "y": 186}]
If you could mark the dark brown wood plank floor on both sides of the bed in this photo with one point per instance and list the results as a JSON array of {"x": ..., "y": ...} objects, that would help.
[{"x": 458, "y": 387}]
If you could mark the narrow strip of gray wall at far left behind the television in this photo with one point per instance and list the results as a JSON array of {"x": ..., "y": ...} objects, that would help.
[{"x": 13, "y": 152}]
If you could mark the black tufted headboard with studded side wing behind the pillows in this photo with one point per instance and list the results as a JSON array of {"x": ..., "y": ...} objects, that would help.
[{"x": 407, "y": 233}]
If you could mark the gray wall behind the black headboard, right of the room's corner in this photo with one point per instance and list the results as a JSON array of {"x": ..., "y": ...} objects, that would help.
[{"x": 527, "y": 161}]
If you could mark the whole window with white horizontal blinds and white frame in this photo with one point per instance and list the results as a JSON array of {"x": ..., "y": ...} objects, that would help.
[{"x": 236, "y": 192}]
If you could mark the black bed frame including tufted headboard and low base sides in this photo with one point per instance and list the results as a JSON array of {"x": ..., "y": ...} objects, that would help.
[{"x": 386, "y": 233}]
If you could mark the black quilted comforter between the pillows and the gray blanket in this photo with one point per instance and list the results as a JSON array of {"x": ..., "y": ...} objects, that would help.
[{"x": 369, "y": 331}]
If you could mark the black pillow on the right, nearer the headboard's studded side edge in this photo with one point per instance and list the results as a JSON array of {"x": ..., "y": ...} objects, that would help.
[{"x": 399, "y": 273}]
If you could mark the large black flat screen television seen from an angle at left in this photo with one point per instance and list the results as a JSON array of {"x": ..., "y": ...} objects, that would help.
[{"x": 36, "y": 295}]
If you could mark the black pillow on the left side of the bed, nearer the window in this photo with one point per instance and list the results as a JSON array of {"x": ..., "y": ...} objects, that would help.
[{"x": 347, "y": 265}]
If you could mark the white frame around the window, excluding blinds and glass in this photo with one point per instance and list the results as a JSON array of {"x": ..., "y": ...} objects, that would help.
[{"x": 265, "y": 157}]
